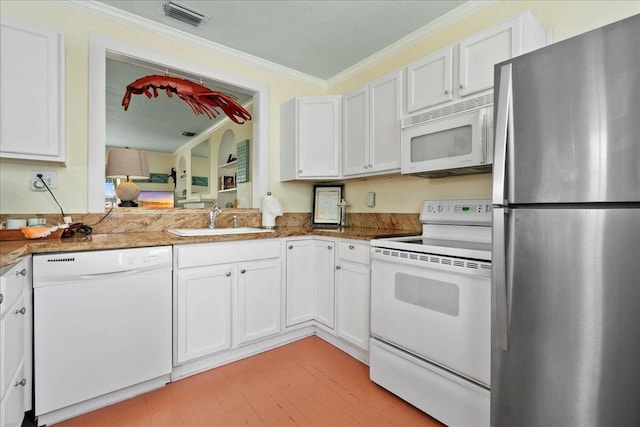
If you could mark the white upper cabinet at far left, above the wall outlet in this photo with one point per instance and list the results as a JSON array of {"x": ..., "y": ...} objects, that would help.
[{"x": 32, "y": 110}]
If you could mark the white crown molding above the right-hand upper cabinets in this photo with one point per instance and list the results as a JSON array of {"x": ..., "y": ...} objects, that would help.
[{"x": 458, "y": 14}]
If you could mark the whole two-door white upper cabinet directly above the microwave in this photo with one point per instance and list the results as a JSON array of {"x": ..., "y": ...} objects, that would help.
[{"x": 466, "y": 68}]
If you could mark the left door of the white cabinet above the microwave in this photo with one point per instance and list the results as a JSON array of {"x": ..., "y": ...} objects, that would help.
[{"x": 430, "y": 80}]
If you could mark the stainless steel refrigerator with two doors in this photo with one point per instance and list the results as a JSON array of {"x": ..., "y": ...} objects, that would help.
[{"x": 566, "y": 233}]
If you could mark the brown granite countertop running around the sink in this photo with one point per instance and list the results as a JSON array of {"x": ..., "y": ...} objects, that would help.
[{"x": 12, "y": 250}]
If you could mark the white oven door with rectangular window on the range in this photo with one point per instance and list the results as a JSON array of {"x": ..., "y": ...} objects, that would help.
[{"x": 438, "y": 308}]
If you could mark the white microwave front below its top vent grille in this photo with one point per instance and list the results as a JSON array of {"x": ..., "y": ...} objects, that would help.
[{"x": 448, "y": 143}]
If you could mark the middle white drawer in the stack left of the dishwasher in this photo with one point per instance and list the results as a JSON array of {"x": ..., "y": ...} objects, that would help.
[{"x": 12, "y": 342}]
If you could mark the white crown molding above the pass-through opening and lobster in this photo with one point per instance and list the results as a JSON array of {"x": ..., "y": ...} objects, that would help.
[{"x": 125, "y": 18}]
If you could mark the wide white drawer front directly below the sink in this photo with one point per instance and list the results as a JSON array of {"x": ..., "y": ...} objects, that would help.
[{"x": 200, "y": 255}]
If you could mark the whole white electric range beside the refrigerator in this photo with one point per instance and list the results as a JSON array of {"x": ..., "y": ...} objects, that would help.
[{"x": 431, "y": 312}]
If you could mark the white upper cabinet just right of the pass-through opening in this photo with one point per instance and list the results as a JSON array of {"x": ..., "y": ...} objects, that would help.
[{"x": 310, "y": 138}]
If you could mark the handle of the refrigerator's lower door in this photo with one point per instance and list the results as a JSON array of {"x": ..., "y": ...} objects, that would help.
[{"x": 499, "y": 280}]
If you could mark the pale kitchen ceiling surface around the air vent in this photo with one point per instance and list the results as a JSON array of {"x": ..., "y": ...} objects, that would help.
[{"x": 318, "y": 38}]
